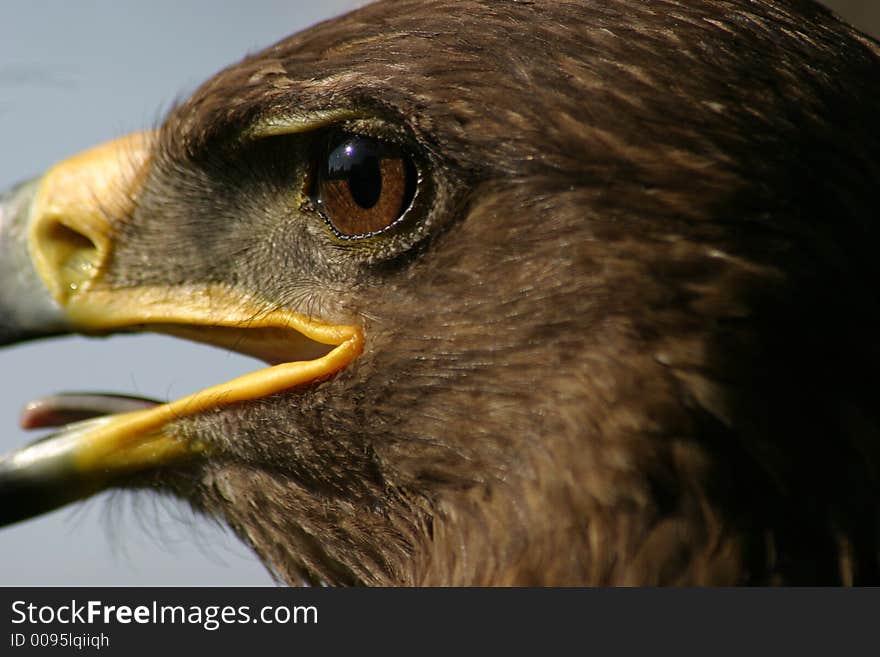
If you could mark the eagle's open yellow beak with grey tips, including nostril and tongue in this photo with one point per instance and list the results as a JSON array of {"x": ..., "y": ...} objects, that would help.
[{"x": 56, "y": 242}]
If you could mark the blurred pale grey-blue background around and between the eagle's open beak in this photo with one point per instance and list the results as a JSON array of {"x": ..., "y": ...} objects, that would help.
[{"x": 73, "y": 74}]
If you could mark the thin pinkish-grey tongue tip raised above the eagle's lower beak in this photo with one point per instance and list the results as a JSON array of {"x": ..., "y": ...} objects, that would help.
[{"x": 65, "y": 408}]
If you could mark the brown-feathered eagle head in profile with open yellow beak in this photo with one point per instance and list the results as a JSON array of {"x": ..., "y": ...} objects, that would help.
[{"x": 576, "y": 292}]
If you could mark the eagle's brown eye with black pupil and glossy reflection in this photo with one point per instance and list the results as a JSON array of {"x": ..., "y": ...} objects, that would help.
[{"x": 364, "y": 185}]
